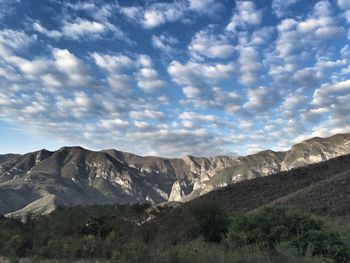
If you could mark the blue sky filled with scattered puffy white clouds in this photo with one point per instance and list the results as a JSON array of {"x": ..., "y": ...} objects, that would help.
[{"x": 171, "y": 78}]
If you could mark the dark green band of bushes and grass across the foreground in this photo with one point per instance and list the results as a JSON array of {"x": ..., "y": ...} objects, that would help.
[{"x": 207, "y": 234}]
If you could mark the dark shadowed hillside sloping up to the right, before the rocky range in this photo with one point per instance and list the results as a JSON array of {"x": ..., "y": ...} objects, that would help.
[{"x": 314, "y": 187}]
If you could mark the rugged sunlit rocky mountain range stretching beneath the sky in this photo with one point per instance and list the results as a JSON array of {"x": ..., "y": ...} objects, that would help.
[{"x": 40, "y": 181}]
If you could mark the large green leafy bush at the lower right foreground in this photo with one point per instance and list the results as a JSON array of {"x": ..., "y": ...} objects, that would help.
[{"x": 271, "y": 226}]
